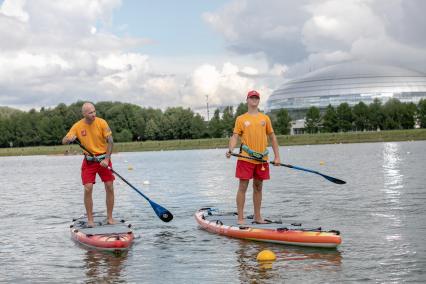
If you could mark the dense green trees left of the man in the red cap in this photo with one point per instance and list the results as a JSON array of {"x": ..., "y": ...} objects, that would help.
[{"x": 128, "y": 122}]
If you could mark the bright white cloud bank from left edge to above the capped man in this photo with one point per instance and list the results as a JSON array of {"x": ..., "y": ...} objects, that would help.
[{"x": 64, "y": 52}]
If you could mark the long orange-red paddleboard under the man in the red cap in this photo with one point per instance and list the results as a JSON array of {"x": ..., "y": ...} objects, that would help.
[{"x": 214, "y": 221}]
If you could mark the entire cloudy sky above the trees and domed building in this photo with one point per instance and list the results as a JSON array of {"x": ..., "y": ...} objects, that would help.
[{"x": 175, "y": 53}]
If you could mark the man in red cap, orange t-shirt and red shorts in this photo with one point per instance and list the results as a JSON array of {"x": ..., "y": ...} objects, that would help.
[{"x": 253, "y": 128}]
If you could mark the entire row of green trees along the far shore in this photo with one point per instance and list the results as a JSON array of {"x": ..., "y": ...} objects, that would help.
[{"x": 131, "y": 122}]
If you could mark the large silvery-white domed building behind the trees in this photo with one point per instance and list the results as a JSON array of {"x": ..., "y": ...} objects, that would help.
[{"x": 350, "y": 82}]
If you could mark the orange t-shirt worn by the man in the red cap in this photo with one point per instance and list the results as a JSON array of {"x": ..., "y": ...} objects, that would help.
[{"x": 253, "y": 131}]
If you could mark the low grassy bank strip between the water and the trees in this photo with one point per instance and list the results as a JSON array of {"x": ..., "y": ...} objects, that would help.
[{"x": 284, "y": 140}]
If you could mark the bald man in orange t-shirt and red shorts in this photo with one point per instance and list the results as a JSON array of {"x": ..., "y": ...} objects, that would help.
[{"x": 95, "y": 135}]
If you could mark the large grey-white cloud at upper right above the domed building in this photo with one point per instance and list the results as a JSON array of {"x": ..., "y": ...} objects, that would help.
[{"x": 311, "y": 34}]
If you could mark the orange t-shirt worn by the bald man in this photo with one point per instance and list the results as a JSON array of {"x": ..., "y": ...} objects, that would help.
[{"x": 92, "y": 136}]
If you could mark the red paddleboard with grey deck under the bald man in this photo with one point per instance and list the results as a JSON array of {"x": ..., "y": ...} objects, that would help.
[{"x": 103, "y": 236}]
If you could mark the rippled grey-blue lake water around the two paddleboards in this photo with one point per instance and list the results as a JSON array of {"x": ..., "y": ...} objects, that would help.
[{"x": 380, "y": 212}]
